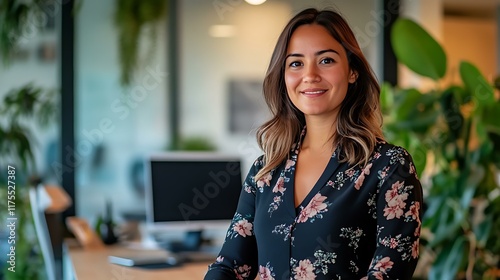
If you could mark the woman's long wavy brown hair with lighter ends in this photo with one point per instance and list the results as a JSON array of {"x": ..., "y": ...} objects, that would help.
[{"x": 359, "y": 123}]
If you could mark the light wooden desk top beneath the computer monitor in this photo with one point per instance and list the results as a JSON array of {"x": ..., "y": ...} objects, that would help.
[{"x": 92, "y": 264}]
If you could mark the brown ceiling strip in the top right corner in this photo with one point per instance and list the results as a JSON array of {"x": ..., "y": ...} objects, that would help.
[{"x": 475, "y": 8}]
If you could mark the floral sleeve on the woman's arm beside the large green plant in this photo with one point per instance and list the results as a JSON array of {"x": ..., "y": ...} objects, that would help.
[{"x": 398, "y": 216}]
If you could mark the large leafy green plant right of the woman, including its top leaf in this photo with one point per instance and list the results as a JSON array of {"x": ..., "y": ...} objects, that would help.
[{"x": 453, "y": 134}]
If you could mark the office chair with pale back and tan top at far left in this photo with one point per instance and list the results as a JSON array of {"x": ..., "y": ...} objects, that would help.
[{"x": 47, "y": 199}]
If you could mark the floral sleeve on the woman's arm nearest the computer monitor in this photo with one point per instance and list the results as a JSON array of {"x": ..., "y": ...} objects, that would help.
[{"x": 238, "y": 256}]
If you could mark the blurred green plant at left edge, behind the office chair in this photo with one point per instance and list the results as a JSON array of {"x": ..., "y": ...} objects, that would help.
[{"x": 19, "y": 110}]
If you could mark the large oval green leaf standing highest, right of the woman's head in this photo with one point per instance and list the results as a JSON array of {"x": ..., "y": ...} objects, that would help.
[{"x": 418, "y": 50}]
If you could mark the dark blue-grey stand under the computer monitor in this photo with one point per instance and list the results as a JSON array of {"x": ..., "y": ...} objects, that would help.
[{"x": 192, "y": 248}]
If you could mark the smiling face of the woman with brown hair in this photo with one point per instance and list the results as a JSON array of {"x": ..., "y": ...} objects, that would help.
[{"x": 316, "y": 72}]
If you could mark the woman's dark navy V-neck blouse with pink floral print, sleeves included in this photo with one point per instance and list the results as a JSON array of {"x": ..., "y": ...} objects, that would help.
[{"x": 358, "y": 222}]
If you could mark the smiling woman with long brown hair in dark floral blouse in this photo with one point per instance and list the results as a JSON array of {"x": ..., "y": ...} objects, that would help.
[{"x": 329, "y": 199}]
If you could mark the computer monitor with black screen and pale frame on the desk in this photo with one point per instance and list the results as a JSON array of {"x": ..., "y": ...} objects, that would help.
[{"x": 197, "y": 188}]
